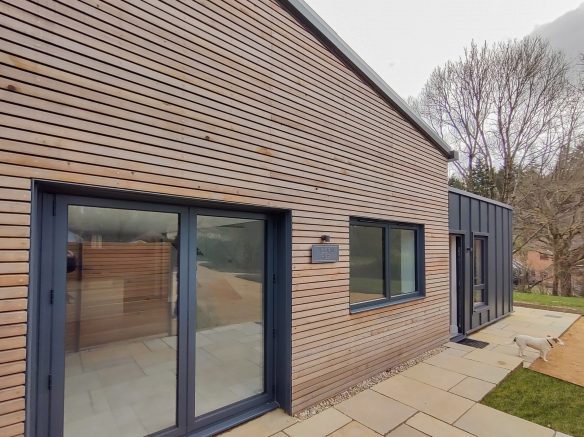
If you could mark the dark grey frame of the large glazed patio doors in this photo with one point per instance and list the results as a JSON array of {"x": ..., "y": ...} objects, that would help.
[{"x": 46, "y": 384}]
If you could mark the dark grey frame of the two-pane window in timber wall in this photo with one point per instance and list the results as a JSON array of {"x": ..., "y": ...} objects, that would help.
[{"x": 387, "y": 298}]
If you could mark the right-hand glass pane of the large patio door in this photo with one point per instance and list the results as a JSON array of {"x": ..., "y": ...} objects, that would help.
[{"x": 230, "y": 311}]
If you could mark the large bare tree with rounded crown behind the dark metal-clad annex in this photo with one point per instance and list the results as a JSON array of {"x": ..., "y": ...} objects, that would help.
[{"x": 499, "y": 103}]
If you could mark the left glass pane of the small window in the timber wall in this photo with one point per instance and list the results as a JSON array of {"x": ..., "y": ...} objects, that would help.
[{"x": 366, "y": 263}]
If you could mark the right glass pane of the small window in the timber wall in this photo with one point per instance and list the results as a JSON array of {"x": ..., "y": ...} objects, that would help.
[{"x": 402, "y": 249}]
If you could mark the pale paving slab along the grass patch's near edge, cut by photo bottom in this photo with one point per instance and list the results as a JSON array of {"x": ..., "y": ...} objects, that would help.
[{"x": 484, "y": 421}]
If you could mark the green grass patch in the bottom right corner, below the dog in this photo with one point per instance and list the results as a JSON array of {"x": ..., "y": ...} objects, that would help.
[{"x": 540, "y": 399}]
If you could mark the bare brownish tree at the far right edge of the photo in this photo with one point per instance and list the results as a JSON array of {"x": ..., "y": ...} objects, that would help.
[{"x": 550, "y": 197}]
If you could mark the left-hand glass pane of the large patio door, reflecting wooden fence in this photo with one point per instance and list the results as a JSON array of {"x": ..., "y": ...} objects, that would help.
[{"x": 121, "y": 322}]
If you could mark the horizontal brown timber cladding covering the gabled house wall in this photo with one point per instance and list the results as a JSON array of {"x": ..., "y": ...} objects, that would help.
[{"x": 219, "y": 100}]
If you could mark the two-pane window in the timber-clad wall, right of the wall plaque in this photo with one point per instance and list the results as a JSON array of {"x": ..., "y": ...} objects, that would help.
[{"x": 386, "y": 262}]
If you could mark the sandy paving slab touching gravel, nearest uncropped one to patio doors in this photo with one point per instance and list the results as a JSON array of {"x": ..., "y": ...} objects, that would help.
[{"x": 376, "y": 411}]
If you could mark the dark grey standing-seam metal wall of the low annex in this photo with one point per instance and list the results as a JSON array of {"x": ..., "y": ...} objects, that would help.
[{"x": 470, "y": 214}]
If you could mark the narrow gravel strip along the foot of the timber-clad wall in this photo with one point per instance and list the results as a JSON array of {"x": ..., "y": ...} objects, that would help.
[{"x": 364, "y": 385}]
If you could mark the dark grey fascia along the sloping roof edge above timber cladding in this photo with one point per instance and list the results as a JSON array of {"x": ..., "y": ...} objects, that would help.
[{"x": 327, "y": 35}]
